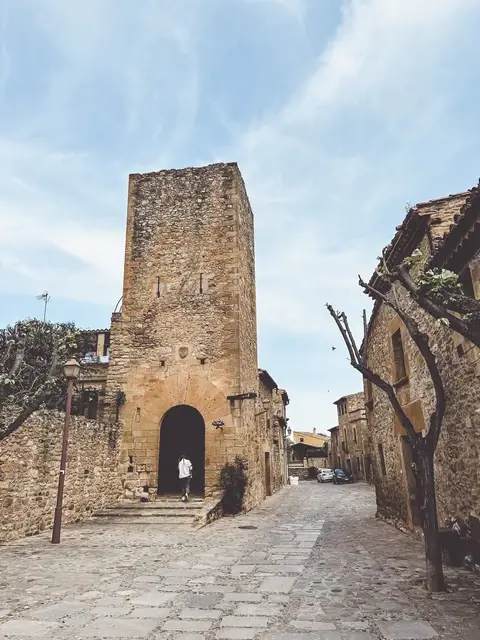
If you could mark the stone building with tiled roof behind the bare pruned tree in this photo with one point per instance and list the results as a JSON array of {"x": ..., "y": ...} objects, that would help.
[{"x": 447, "y": 232}]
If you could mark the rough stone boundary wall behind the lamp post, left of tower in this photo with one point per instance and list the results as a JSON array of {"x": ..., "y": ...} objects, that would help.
[{"x": 29, "y": 465}]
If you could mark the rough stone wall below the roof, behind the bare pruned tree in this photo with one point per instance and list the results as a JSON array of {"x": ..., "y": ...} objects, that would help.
[{"x": 457, "y": 457}]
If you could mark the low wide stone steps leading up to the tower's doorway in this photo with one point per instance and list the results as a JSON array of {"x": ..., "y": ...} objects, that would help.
[{"x": 164, "y": 512}]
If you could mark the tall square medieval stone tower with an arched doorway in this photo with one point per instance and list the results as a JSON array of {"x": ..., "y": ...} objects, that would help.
[{"x": 184, "y": 347}]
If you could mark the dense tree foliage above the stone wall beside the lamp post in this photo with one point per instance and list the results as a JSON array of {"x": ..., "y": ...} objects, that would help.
[{"x": 32, "y": 353}]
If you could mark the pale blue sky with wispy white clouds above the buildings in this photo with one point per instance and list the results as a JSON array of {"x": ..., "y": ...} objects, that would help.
[{"x": 338, "y": 113}]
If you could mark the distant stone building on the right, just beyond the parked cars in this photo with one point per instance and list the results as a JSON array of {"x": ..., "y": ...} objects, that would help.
[{"x": 351, "y": 449}]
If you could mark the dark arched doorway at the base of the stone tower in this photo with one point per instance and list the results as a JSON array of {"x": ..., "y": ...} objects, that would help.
[{"x": 182, "y": 431}]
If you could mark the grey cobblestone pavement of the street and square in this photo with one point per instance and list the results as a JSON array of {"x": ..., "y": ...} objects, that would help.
[{"x": 311, "y": 563}]
